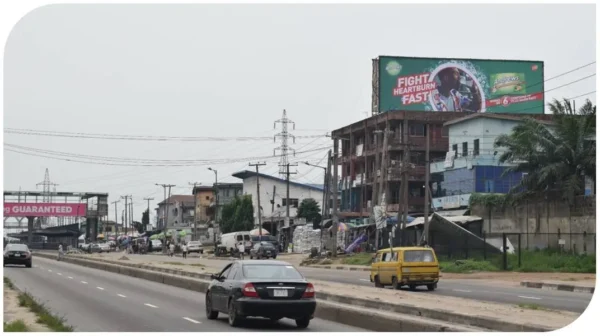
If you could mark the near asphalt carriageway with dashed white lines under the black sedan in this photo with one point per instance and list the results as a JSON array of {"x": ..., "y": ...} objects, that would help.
[{"x": 97, "y": 301}]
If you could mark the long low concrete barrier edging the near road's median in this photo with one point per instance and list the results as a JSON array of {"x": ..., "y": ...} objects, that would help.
[{"x": 378, "y": 316}]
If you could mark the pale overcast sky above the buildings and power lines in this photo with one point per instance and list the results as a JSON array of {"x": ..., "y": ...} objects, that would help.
[{"x": 229, "y": 71}]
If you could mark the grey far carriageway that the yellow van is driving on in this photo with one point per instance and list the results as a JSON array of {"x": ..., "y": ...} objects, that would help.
[{"x": 468, "y": 289}]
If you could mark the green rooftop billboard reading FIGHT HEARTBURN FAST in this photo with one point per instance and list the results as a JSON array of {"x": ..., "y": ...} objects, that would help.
[{"x": 458, "y": 85}]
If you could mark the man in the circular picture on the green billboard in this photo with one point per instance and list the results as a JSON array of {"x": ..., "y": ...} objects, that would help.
[{"x": 454, "y": 94}]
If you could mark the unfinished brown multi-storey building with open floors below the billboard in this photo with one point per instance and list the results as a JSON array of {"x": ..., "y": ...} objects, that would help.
[{"x": 391, "y": 146}]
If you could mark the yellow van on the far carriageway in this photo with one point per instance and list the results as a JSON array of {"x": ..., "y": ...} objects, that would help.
[{"x": 406, "y": 266}]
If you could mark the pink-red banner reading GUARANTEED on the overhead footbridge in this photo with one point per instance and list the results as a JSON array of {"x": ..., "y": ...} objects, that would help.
[{"x": 45, "y": 209}]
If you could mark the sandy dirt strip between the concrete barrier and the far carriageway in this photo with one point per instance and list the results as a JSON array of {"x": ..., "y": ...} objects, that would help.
[{"x": 551, "y": 319}]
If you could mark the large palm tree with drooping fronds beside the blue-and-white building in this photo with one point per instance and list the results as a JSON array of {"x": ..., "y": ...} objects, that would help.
[{"x": 556, "y": 158}]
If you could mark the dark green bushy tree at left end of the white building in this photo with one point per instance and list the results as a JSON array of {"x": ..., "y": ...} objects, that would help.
[{"x": 238, "y": 215}]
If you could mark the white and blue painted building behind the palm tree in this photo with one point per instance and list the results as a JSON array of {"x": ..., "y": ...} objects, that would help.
[{"x": 471, "y": 165}]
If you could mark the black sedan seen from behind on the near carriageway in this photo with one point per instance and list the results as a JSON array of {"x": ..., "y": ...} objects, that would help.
[{"x": 254, "y": 288}]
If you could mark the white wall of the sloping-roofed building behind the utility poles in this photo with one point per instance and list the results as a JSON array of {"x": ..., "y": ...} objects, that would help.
[{"x": 266, "y": 194}]
